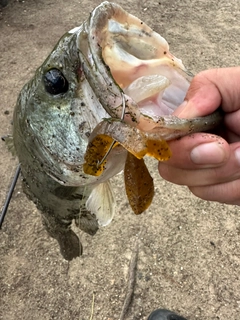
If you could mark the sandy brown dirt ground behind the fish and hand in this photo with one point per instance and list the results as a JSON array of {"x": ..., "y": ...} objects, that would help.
[{"x": 188, "y": 249}]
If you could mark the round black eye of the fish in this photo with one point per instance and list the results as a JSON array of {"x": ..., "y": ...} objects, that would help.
[{"x": 55, "y": 82}]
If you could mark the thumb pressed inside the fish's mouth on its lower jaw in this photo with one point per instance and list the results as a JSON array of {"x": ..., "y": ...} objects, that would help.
[{"x": 208, "y": 90}]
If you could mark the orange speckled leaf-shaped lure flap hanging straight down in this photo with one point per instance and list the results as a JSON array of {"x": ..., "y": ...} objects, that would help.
[{"x": 138, "y": 184}]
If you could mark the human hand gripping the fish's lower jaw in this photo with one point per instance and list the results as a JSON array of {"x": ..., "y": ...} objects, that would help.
[{"x": 209, "y": 164}]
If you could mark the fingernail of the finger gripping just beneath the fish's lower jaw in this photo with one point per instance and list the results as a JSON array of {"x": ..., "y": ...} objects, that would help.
[{"x": 208, "y": 154}]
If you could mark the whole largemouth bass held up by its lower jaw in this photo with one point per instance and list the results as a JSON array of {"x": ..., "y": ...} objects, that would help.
[{"x": 112, "y": 66}]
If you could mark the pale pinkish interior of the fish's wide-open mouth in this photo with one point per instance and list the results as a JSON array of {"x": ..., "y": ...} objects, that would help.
[{"x": 139, "y": 60}]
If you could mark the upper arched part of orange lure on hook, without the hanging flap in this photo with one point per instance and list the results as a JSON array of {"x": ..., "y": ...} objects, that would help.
[{"x": 135, "y": 141}]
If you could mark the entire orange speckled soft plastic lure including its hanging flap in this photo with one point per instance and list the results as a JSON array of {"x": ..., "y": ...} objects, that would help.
[{"x": 138, "y": 181}]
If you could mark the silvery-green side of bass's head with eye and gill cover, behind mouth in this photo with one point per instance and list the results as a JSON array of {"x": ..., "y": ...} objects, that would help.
[{"x": 55, "y": 114}]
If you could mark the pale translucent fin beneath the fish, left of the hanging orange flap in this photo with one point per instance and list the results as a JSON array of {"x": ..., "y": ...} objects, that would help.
[{"x": 101, "y": 202}]
